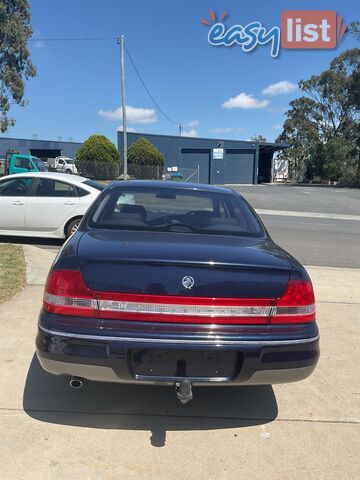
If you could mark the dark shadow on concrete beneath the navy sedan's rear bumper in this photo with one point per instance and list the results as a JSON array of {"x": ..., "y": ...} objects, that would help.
[{"x": 136, "y": 407}]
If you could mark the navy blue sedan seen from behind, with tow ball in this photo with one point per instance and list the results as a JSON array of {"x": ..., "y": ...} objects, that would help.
[{"x": 182, "y": 286}]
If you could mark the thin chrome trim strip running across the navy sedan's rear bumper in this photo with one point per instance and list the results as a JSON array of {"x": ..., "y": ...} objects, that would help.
[{"x": 207, "y": 341}]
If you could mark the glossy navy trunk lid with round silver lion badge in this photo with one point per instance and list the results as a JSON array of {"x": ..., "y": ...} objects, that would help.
[{"x": 181, "y": 264}]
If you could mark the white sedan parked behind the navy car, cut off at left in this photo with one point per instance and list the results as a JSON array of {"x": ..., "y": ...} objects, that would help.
[{"x": 44, "y": 204}]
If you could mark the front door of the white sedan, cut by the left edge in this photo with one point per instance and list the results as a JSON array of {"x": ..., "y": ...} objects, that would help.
[{"x": 13, "y": 203}]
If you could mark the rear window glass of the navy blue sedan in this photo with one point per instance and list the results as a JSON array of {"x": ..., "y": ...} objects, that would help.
[{"x": 174, "y": 210}]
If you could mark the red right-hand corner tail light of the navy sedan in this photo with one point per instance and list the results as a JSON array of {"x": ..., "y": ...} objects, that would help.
[{"x": 297, "y": 304}]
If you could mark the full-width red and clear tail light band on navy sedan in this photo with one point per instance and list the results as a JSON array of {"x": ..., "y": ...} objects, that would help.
[{"x": 67, "y": 294}]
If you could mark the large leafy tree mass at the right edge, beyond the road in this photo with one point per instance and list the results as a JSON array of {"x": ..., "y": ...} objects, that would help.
[{"x": 323, "y": 126}]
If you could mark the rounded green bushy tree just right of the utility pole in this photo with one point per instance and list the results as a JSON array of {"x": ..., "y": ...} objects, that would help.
[{"x": 145, "y": 160}]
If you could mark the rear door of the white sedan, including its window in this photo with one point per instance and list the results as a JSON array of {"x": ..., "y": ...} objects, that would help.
[{"x": 51, "y": 204}]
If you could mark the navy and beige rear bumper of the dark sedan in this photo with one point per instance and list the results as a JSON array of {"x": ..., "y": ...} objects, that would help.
[{"x": 105, "y": 352}]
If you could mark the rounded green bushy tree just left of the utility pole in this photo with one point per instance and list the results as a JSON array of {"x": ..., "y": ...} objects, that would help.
[{"x": 98, "y": 158}]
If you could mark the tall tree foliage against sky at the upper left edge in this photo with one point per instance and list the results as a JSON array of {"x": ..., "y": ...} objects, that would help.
[{"x": 15, "y": 63}]
